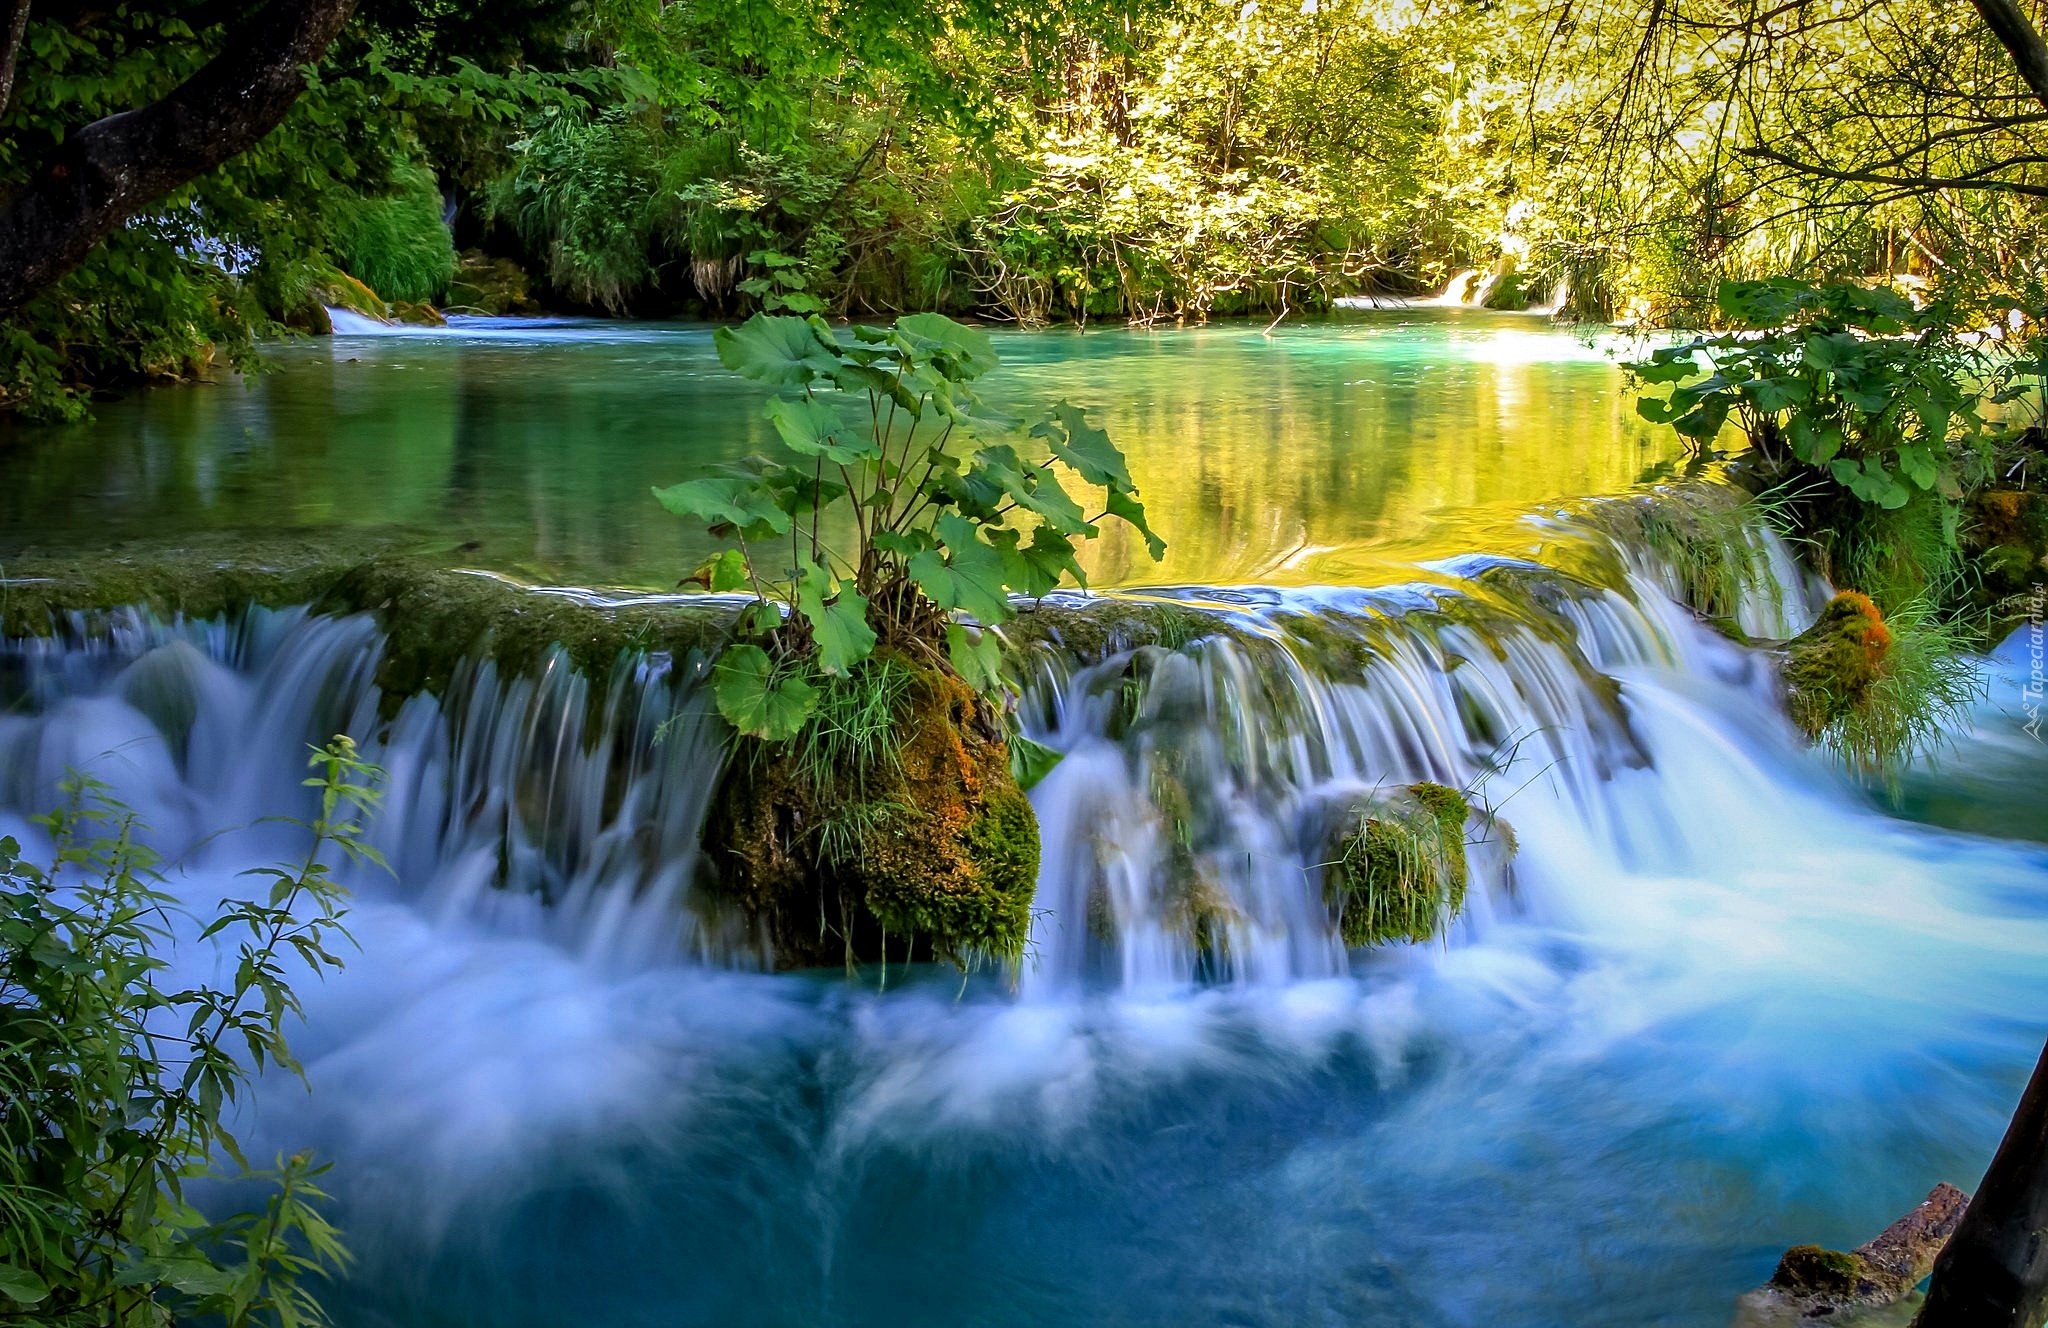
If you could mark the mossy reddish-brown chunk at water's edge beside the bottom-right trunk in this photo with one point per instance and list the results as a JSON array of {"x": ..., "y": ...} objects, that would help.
[{"x": 1832, "y": 1286}]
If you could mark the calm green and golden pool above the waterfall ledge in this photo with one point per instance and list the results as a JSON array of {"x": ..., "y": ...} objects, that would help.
[{"x": 1322, "y": 454}]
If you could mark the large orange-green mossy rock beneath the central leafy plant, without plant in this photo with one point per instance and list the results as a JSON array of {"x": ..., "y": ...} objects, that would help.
[{"x": 929, "y": 852}]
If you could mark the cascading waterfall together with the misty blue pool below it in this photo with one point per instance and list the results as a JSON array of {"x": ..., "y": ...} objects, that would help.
[{"x": 1705, "y": 999}]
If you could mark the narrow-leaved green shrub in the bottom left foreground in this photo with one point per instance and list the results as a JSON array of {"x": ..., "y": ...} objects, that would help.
[{"x": 116, "y": 1087}]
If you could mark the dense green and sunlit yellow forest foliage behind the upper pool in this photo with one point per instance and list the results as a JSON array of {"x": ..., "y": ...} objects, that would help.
[{"x": 1074, "y": 161}]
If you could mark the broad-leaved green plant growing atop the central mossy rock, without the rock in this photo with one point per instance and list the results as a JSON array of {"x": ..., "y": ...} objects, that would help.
[{"x": 906, "y": 513}]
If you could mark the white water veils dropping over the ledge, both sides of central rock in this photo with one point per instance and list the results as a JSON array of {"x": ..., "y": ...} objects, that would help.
[{"x": 1179, "y": 831}]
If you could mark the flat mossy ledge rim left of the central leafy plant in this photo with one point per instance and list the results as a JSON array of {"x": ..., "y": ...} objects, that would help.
[{"x": 435, "y": 618}]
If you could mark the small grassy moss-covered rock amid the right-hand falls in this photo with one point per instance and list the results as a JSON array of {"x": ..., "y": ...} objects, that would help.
[{"x": 1396, "y": 866}]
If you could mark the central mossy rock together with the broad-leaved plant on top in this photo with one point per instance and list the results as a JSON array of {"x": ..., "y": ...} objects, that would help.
[{"x": 876, "y": 784}]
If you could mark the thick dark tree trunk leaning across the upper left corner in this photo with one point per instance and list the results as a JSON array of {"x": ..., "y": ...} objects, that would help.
[{"x": 116, "y": 167}]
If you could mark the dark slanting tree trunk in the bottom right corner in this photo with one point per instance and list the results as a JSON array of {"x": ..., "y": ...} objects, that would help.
[{"x": 1996, "y": 1270}]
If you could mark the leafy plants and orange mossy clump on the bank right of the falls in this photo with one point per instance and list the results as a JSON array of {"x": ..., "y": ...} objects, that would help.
[{"x": 1891, "y": 442}]
